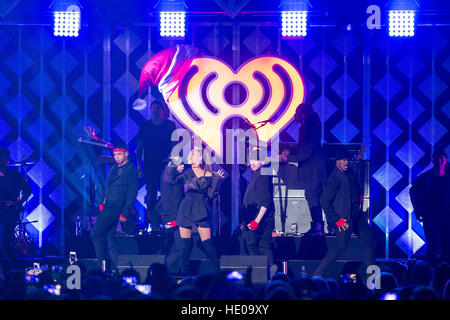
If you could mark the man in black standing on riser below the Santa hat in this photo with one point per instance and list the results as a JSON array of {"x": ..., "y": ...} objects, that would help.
[{"x": 154, "y": 142}]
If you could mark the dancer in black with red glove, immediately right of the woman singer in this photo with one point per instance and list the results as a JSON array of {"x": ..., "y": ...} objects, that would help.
[{"x": 258, "y": 213}]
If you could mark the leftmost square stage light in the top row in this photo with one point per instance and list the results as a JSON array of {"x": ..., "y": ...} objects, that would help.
[{"x": 66, "y": 19}]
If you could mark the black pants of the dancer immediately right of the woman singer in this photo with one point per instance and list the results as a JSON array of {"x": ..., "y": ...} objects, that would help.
[{"x": 259, "y": 241}]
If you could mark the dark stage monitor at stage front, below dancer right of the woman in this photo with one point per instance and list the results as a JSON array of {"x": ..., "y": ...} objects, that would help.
[{"x": 242, "y": 263}]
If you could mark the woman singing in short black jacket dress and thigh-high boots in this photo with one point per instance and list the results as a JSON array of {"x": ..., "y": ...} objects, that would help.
[{"x": 200, "y": 186}]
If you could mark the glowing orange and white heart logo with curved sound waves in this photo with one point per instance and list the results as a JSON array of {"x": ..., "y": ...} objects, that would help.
[{"x": 273, "y": 88}]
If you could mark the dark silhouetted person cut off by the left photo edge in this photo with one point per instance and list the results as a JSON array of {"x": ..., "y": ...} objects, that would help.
[{"x": 11, "y": 204}]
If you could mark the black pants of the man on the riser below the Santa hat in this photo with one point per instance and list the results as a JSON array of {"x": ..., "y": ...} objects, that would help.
[{"x": 152, "y": 177}]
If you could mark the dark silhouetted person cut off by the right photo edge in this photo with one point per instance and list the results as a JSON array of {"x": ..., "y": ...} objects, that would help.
[{"x": 430, "y": 197}]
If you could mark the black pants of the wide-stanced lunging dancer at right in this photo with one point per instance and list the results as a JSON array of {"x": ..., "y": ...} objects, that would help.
[{"x": 362, "y": 227}]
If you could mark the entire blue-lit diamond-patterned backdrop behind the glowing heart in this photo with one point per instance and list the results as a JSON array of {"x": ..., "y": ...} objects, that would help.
[{"x": 390, "y": 95}]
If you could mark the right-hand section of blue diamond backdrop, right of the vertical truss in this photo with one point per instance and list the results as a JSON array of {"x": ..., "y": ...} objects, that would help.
[{"x": 409, "y": 95}]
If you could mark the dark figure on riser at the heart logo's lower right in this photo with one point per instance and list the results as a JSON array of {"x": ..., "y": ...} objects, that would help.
[{"x": 311, "y": 163}]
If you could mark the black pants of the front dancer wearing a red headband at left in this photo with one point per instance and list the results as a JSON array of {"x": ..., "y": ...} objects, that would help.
[{"x": 102, "y": 234}]
